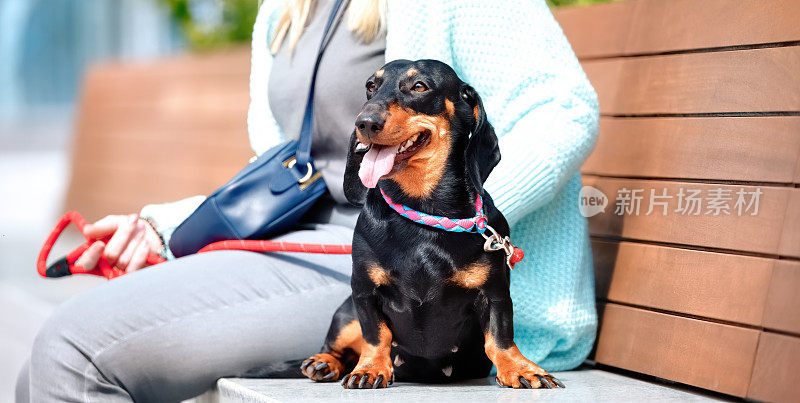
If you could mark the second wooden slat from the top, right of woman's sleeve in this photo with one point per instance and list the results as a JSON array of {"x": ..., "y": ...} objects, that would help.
[{"x": 760, "y": 80}]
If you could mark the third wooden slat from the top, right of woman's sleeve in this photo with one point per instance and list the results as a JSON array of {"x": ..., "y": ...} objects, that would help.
[{"x": 764, "y": 149}]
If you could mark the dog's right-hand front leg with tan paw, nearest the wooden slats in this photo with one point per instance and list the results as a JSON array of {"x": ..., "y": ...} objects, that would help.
[{"x": 513, "y": 369}]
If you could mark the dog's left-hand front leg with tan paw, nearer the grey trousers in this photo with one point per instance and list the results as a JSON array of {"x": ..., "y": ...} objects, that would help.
[{"x": 374, "y": 369}]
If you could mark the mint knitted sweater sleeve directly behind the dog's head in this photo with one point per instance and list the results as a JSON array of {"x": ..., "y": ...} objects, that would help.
[{"x": 535, "y": 93}]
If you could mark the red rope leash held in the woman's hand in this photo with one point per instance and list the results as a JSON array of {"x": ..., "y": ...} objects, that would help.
[{"x": 66, "y": 265}]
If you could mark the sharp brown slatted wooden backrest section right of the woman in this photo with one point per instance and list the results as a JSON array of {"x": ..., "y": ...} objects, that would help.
[{"x": 697, "y": 95}]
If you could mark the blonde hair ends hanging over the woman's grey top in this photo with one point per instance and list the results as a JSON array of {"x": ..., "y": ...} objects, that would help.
[{"x": 365, "y": 18}]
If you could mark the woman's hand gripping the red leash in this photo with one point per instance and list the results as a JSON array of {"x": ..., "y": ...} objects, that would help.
[{"x": 132, "y": 240}]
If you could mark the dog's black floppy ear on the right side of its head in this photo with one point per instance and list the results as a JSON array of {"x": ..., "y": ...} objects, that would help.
[{"x": 483, "y": 151}]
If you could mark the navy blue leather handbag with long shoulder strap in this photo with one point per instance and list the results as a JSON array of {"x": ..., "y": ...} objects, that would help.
[{"x": 269, "y": 195}]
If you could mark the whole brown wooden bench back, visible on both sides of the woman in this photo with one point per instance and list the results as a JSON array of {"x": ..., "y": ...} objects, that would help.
[{"x": 694, "y": 95}]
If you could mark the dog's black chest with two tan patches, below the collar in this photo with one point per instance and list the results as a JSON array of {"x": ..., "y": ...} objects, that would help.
[{"x": 429, "y": 283}]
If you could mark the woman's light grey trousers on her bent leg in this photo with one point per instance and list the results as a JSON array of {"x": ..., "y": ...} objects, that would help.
[{"x": 167, "y": 333}]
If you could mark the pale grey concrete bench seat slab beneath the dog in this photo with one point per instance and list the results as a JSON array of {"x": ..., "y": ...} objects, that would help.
[{"x": 581, "y": 386}]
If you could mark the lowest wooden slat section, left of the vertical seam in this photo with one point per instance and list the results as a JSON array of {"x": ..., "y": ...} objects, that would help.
[{"x": 709, "y": 355}]
